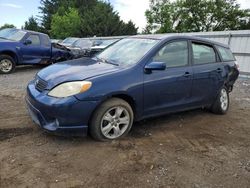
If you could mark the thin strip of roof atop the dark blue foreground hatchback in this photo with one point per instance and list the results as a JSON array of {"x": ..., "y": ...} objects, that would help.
[{"x": 177, "y": 36}]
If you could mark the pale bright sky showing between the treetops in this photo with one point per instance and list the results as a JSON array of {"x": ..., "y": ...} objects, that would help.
[{"x": 18, "y": 11}]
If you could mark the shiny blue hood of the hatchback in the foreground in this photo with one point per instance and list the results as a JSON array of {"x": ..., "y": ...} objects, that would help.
[{"x": 79, "y": 69}]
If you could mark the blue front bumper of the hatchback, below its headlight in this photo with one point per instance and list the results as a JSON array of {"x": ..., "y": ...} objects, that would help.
[{"x": 68, "y": 116}]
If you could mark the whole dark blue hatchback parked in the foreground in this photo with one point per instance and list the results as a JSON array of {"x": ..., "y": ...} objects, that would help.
[{"x": 136, "y": 78}]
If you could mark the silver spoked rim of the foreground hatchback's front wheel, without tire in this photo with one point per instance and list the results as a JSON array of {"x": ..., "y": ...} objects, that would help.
[{"x": 115, "y": 122}]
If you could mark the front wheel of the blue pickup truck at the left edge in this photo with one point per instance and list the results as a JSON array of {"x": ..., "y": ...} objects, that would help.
[{"x": 7, "y": 64}]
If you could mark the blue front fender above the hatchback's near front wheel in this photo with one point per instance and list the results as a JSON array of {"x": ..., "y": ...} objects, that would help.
[{"x": 126, "y": 83}]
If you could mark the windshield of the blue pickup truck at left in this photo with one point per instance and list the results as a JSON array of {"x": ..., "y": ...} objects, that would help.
[{"x": 12, "y": 34}]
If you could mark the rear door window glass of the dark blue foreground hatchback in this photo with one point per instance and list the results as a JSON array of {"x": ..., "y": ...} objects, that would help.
[{"x": 203, "y": 54}]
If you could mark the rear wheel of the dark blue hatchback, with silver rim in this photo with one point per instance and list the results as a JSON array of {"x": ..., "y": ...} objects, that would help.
[{"x": 221, "y": 103}]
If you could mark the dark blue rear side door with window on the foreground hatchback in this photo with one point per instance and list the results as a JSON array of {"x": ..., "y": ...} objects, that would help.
[{"x": 207, "y": 70}]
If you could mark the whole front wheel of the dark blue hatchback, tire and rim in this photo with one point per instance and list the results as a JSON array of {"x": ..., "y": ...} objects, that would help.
[{"x": 112, "y": 120}]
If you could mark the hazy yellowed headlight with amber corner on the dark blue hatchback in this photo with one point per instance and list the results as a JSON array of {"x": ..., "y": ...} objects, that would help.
[{"x": 70, "y": 88}]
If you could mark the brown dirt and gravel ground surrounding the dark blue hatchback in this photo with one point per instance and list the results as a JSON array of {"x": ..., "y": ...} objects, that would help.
[{"x": 189, "y": 149}]
